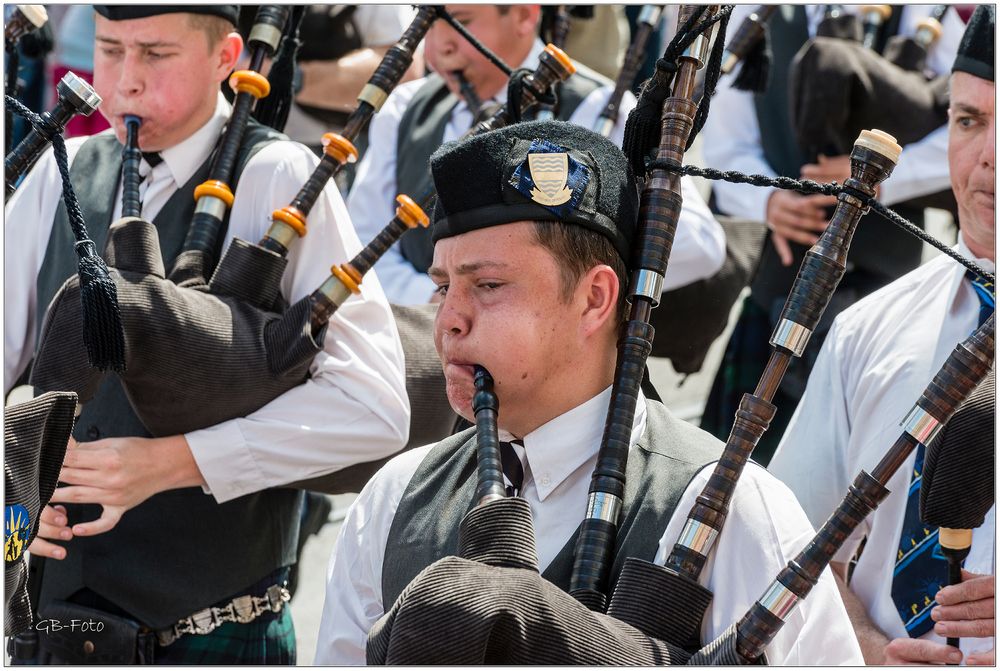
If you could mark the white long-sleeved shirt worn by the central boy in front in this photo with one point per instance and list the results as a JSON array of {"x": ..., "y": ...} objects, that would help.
[{"x": 765, "y": 529}]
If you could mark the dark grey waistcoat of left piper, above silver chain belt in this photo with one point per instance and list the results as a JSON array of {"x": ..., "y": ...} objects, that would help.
[{"x": 179, "y": 551}]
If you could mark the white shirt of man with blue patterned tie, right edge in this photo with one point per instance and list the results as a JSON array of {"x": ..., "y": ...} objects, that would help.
[{"x": 879, "y": 356}]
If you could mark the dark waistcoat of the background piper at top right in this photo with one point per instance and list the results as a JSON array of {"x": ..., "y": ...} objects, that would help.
[{"x": 879, "y": 248}]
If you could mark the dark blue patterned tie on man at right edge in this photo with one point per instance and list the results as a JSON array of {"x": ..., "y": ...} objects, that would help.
[{"x": 920, "y": 565}]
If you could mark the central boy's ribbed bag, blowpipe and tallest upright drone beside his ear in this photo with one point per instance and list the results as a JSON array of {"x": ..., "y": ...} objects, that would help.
[{"x": 489, "y": 604}]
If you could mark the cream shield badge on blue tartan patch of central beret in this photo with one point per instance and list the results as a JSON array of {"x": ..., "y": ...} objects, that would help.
[{"x": 550, "y": 177}]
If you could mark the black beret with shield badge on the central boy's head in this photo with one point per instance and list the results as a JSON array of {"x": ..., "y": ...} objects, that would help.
[{"x": 536, "y": 171}]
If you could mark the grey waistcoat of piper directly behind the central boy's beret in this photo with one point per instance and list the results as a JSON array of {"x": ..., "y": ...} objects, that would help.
[{"x": 421, "y": 132}]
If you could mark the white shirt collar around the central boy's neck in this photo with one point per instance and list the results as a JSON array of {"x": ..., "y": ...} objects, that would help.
[{"x": 563, "y": 444}]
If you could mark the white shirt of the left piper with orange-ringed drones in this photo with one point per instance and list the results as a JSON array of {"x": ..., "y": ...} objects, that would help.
[{"x": 353, "y": 407}]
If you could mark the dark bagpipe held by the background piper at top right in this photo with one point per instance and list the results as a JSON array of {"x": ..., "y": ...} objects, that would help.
[{"x": 839, "y": 84}]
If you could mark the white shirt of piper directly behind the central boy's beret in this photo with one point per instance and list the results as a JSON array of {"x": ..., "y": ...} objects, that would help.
[{"x": 699, "y": 247}]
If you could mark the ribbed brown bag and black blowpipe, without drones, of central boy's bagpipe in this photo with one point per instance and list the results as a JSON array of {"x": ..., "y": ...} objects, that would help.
[{"x": 488, "y": 604}]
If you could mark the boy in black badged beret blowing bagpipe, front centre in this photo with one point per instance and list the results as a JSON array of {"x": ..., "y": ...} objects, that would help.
[{"x": 532, "y": 234}]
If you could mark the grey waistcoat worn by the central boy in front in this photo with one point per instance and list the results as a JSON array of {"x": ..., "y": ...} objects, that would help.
[{"x": 441, "y": 492}]
